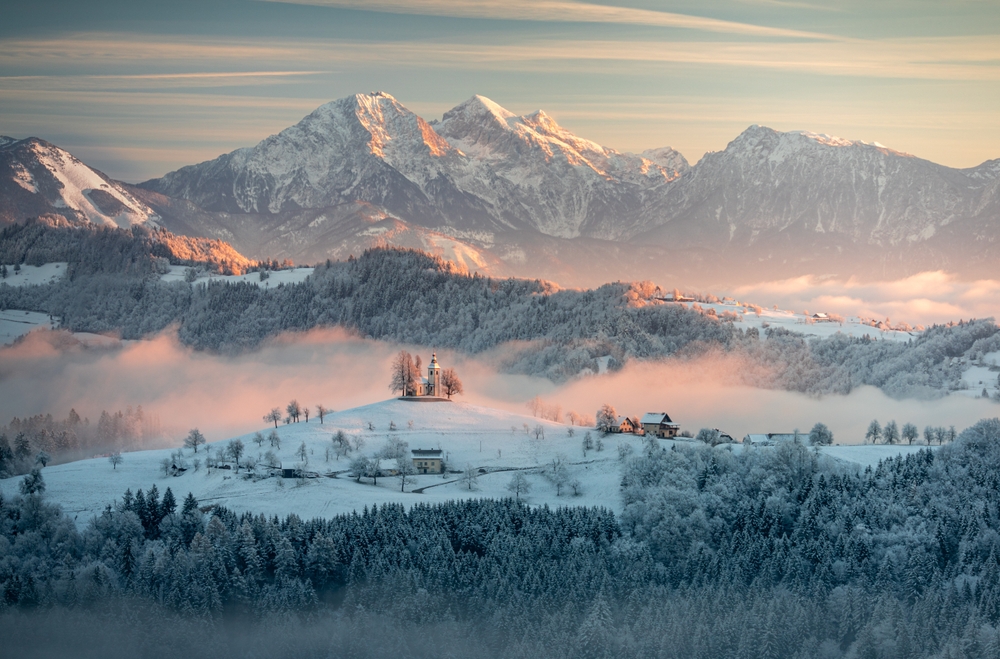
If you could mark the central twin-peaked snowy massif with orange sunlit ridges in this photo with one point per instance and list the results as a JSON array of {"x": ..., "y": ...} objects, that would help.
[{"x": 480, "y": 170}]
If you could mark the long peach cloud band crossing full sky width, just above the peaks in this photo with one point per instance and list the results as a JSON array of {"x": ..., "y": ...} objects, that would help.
[{"x": 953, "y": 58}]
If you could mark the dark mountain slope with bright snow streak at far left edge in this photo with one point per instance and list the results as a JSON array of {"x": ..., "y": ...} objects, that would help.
[{"x": 38, "y": 178}]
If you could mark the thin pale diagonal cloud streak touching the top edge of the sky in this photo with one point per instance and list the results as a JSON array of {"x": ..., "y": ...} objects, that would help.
[{"x": 562, "y": 11}]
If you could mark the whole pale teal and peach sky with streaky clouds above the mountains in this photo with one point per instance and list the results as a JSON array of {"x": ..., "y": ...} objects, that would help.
[{"x": 137, "y": 88}]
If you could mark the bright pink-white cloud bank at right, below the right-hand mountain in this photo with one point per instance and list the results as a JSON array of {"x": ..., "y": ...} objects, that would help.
[{"x": 924, "y": 298}]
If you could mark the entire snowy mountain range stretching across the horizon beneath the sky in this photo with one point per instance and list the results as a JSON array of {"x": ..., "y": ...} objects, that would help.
[{"x": 512, "y": 194}]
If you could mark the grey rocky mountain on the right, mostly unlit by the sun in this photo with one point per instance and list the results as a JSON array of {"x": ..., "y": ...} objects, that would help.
[{"x": 767, "y": 184}]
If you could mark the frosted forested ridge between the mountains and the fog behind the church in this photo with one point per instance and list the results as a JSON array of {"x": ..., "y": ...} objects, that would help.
[{"x": 528, "y": 326}]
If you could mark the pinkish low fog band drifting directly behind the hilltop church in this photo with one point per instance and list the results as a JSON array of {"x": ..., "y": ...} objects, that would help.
[{"x": 225, "y": 396}]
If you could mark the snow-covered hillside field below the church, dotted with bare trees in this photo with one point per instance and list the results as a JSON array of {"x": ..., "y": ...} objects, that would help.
[{"x": 487, "y": 439}]
